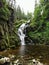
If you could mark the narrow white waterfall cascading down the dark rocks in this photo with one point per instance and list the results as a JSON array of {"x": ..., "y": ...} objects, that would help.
[{"x": 20, "y": 32}]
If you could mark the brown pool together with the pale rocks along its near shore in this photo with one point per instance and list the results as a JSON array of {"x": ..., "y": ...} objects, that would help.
[{"x": 25, "y": 55}]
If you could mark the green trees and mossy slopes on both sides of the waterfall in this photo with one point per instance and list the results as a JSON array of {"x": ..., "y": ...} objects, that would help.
[{"x": 11, "y": 19}]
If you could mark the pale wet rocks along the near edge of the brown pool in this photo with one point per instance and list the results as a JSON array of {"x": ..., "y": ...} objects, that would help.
[{"x": 11, "y": 60}]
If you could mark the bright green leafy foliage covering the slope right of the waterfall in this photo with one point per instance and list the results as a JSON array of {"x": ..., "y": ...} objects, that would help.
[{"x": 40, "y": 24}]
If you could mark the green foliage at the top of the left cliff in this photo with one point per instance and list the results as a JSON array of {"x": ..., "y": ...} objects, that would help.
[{"x": 4, "y": 11}]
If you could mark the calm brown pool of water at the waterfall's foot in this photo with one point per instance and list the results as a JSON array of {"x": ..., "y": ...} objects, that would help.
[{"x": 29, "y": 52}]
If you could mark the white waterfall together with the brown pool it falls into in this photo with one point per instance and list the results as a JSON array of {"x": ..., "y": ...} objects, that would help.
[{"x": 28, "y": 52}]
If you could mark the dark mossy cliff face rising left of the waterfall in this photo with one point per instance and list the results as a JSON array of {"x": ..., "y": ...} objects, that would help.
[{"x": 7, "y": 32}]
